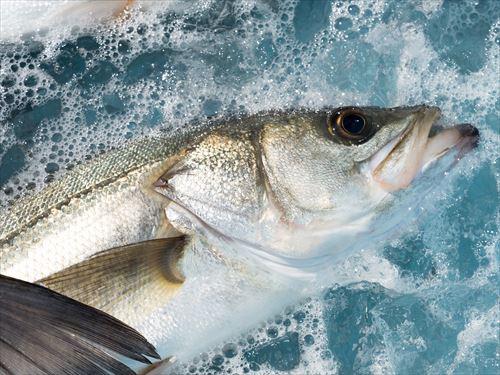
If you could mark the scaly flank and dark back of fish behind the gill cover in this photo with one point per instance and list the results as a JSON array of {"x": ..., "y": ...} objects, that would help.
[{"x": 83, "y": 212}]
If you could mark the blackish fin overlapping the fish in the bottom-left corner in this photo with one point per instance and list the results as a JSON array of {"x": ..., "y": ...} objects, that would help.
[{"x": 44, "y": 332}]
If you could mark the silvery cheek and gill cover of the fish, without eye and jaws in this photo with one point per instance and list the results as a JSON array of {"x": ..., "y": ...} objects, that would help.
[{"x": 272, "y": 184}]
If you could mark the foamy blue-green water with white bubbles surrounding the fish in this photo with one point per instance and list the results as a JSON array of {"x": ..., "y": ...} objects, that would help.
[{"x": 427, "y": 302}]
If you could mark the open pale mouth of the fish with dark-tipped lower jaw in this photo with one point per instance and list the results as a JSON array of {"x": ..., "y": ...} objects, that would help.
[{"x": 417, "y": 147}]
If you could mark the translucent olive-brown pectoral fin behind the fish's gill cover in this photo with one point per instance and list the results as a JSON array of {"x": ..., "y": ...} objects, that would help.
[{"x": 119, "y": 280}]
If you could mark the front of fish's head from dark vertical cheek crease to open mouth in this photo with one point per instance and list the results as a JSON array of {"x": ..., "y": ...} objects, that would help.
[{"x": 331, "y": 172}]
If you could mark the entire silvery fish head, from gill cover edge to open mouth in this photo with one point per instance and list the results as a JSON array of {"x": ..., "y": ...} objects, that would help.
[{"x": 295, "y": 186}]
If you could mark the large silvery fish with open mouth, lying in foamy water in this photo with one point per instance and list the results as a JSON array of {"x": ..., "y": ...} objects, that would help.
[{"x": 170, "y": 231}]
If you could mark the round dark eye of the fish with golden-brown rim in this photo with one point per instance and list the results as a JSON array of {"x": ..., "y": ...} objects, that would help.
[{"x": 350, "y": 125}]
